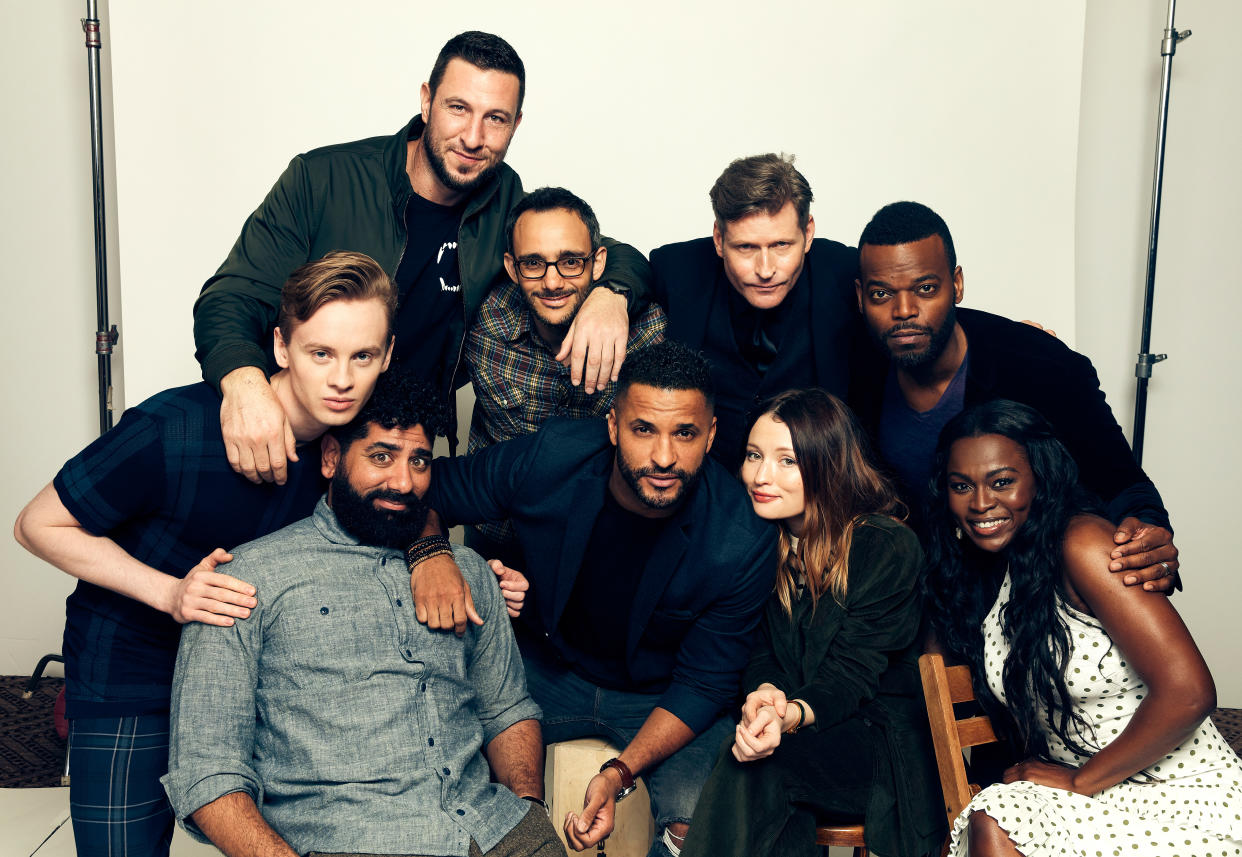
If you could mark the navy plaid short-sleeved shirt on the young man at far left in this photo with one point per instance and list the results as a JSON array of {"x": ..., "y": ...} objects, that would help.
[{"x": 160, "y": 485}]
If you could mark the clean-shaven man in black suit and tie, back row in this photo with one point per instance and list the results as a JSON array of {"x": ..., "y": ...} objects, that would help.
[{"x": 769, "y": 305}]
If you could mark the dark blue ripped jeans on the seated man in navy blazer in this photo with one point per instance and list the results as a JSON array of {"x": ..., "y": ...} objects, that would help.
[{"x": 577, "y": 709}]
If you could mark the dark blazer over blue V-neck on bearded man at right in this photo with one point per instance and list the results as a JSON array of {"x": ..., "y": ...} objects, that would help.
[{"x": 1018, "y": 362}]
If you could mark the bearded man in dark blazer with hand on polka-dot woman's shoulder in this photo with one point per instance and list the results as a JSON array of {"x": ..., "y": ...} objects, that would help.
[{"x": 932, "y": 361}]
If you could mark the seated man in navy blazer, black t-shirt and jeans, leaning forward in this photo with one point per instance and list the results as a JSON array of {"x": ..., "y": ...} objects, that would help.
[{"x": 648, "y": 572}]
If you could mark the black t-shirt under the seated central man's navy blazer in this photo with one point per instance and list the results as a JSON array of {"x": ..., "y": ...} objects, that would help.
[{"x": 596, "y": 625}]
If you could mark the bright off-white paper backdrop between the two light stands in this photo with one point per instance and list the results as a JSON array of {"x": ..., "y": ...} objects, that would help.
[{"x": 637, "y": 107}]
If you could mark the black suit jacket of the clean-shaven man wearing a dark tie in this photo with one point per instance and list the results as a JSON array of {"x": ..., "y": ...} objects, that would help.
[{"x": 689, "y": 280}]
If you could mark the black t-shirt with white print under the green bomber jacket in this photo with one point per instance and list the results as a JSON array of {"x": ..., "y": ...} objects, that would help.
[{"x": 430, "y": 288}]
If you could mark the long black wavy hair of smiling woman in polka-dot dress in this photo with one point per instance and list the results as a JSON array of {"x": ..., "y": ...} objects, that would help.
[{"x": 962, "y": 582}]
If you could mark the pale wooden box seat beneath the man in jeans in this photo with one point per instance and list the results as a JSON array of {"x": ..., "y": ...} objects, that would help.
[{"x": 569, "y": 767}]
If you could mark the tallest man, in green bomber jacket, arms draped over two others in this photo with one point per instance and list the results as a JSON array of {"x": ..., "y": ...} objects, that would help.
[{"x": 429, "y": 204}]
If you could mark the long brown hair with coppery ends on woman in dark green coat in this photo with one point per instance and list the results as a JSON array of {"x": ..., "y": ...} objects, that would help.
[{"x": 840, "y": 484}]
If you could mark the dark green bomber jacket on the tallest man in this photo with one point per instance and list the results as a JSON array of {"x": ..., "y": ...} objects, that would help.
[{"x": 353, "y": 197}]
